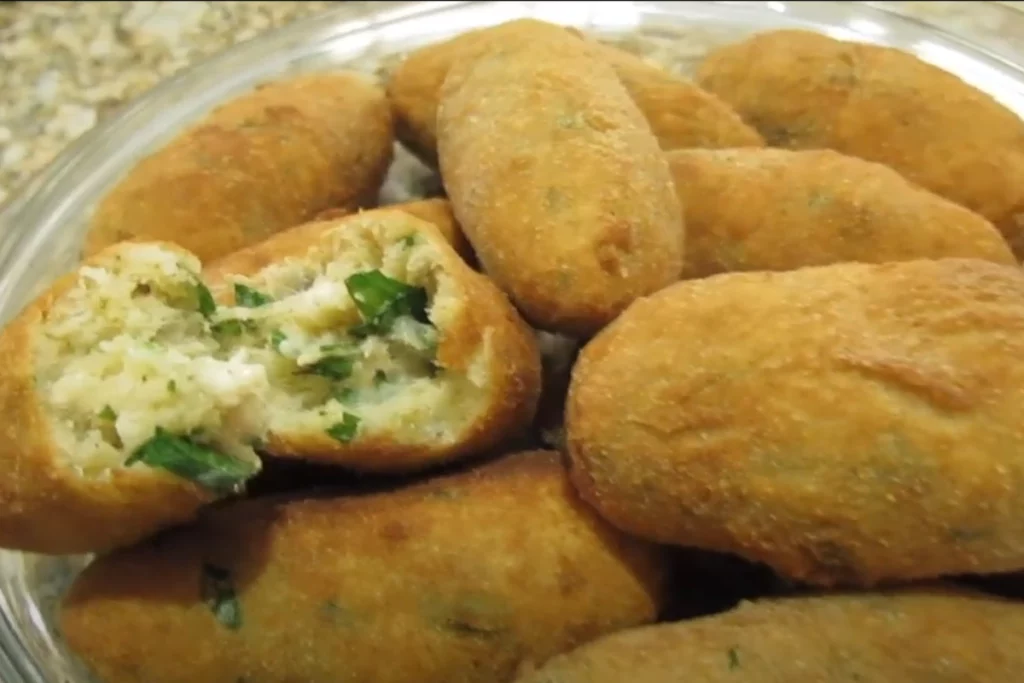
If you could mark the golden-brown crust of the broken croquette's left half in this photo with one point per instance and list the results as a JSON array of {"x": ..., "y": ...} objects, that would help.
[{"x": 46, "y": 505}]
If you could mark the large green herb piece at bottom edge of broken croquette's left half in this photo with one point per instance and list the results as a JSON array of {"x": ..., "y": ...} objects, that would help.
[{"x": 184, "y": 457}]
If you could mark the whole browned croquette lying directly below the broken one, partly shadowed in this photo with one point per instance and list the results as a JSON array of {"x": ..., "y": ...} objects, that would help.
[{"x": 459, "y": 580}]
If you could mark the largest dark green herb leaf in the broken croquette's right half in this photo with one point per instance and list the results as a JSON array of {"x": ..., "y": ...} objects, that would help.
[{"x": 382, "y": 301}]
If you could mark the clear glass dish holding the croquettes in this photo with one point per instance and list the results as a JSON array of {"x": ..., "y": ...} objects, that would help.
[{"x": 42, "y": 227}]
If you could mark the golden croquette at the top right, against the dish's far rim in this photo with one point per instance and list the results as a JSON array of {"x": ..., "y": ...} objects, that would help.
[{"x": 806, "y": 91}]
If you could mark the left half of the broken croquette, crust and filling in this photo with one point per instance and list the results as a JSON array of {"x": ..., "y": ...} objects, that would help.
[{"x": 120, "y": 418}]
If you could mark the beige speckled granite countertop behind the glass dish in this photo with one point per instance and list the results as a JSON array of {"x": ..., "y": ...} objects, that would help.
[{"x": 64, "y": 66}]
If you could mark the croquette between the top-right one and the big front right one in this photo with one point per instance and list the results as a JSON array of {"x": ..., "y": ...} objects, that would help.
[{"x": 816, "y": 208}]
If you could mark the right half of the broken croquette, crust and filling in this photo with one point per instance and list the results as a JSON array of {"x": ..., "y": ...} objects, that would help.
[{"x": 385, "y": 350}]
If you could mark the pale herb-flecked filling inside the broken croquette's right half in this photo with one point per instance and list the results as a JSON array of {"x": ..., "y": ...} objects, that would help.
[{"x": 350, "y": 333}]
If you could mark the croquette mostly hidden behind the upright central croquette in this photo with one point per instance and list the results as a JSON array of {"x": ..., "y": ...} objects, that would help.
[{"x": 680, "y": 114}]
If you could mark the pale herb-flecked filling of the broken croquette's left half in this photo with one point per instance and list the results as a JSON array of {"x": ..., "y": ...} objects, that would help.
[{"x": 132, "y": 374}]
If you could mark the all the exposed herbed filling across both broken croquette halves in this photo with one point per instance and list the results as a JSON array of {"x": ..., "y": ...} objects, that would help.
[{"x": 141, "y": 368}]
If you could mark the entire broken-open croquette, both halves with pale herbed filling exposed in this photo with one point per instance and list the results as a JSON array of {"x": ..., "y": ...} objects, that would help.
[{"x": 138, "y": 389}]
